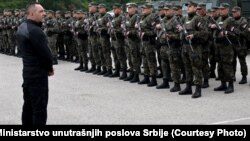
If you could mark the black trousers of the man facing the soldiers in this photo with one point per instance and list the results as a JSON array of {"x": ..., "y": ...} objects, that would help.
[{"x": 35, "y": 95}]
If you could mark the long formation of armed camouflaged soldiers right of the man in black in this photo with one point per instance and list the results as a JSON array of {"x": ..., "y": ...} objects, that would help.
[{"x": 186, "y": 48}]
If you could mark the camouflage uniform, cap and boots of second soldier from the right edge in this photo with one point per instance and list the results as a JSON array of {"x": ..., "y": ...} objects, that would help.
[{"x": 225, "y": 52}]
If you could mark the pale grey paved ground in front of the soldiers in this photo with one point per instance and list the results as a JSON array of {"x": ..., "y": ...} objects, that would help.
[{"x": 80, "y": 98}]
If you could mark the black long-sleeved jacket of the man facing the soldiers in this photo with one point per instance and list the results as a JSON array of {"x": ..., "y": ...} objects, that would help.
[{"x": 33, "y": 43}]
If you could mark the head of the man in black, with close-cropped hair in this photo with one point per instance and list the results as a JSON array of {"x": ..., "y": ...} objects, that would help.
[{"x": 36, "y": 12}]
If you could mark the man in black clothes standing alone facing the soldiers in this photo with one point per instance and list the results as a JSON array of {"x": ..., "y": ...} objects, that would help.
[{"x": 37, "y": 66}]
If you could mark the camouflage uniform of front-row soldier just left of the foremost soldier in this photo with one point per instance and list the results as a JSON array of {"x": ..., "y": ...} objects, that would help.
[{"x": 170, "y": 51}]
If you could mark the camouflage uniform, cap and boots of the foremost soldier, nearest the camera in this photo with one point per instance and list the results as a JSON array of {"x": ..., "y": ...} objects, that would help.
[{"x": 192, "y": 51}]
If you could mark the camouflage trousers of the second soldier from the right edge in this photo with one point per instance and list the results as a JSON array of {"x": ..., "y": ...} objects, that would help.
[{"x": 225, "y": 64}]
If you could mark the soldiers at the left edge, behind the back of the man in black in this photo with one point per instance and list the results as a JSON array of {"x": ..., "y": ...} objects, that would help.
[{"x": 9, "y": 22}]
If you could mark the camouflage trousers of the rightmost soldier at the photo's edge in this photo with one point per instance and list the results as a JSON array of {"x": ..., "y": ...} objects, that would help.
[{"x": 240, "y": 52}]
